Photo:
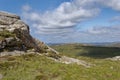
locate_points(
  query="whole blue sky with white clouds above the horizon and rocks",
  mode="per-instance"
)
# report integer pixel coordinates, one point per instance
(69, 21)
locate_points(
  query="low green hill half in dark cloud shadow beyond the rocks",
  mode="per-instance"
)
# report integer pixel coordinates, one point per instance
(87, 50)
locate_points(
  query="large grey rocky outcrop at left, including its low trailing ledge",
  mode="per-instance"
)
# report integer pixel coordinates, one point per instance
(15, 39)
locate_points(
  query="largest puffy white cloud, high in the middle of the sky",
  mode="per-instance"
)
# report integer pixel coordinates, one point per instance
(66, 16)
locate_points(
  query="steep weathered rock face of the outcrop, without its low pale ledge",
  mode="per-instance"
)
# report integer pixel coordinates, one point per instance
(14, 35)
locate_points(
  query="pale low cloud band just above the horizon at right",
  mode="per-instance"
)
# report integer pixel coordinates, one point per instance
(96, 34)
